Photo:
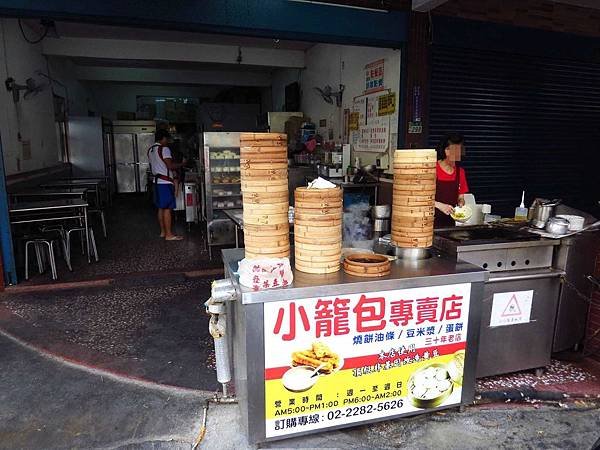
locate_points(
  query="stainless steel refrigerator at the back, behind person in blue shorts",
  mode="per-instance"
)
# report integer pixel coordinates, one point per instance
(132, 139)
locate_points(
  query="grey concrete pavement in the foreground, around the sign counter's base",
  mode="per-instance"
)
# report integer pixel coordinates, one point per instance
(45, 404)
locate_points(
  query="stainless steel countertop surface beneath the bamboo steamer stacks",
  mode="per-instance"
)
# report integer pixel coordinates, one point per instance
(434, 271)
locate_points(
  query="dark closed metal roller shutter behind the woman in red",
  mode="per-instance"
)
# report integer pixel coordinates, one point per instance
(530, 123)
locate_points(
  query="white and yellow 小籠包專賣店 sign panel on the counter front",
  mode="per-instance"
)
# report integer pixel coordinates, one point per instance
(373, 349)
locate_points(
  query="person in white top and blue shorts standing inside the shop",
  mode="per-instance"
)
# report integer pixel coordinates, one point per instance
(163, 166)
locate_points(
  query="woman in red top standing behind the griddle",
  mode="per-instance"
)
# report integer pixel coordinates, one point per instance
(451, 182)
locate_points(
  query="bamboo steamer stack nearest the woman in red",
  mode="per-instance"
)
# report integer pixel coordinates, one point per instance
(413, 205)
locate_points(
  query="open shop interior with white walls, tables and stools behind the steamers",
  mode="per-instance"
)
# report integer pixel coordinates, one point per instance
(88, 99)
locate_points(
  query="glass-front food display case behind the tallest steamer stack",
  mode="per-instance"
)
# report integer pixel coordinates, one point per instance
(221, 185)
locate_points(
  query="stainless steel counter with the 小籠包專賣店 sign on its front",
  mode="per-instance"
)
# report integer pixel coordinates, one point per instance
(251, 318)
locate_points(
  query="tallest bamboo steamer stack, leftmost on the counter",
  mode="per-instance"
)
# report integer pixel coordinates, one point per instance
(264, 178)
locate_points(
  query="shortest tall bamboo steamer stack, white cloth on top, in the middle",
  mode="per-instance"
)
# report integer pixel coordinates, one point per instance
(318, 230)
